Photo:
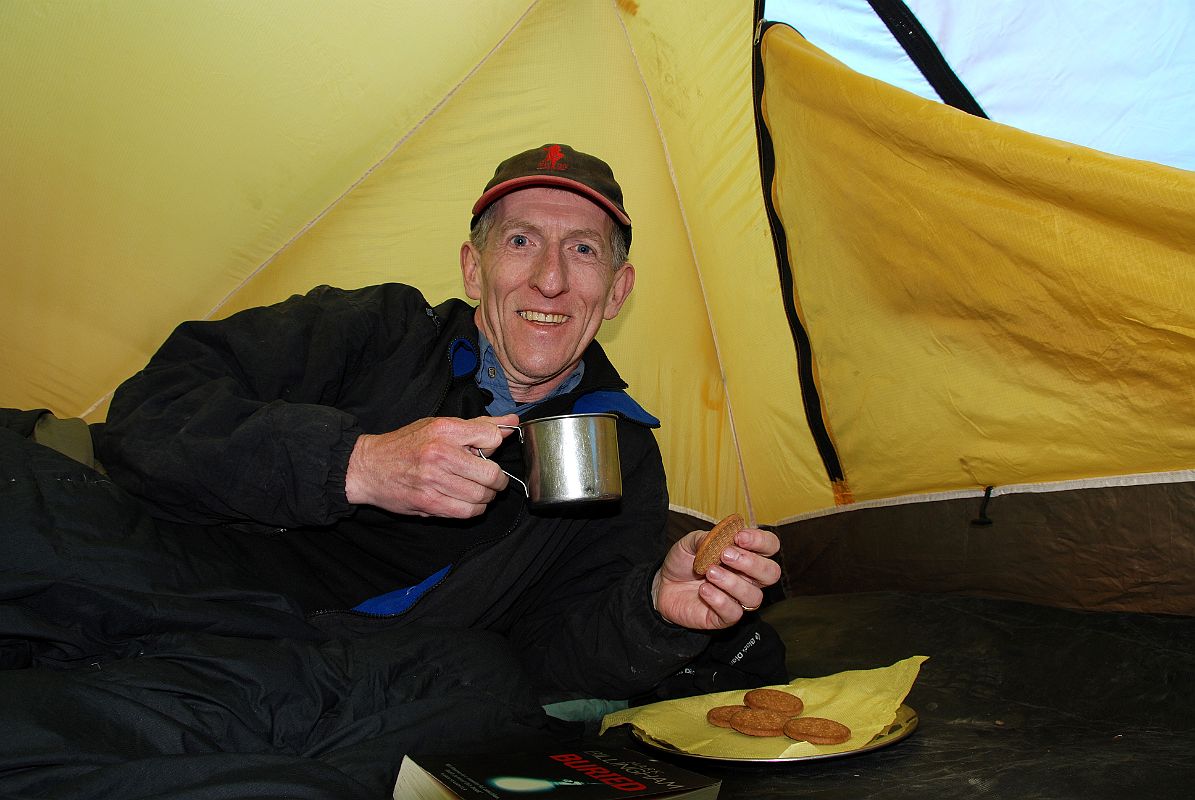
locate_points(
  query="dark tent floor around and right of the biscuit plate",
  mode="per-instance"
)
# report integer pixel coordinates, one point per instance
(1016, 701)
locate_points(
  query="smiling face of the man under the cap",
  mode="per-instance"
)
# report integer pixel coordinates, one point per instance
(544, 283)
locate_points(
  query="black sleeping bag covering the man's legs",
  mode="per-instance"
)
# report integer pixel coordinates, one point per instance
(133, 665)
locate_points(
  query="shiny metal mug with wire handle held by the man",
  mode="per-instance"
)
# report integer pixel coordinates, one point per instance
(571, 460)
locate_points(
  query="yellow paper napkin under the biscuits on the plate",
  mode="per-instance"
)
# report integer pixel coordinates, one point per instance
(866, 701)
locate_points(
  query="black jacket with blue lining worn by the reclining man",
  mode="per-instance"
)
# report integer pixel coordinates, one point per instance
(240, 432)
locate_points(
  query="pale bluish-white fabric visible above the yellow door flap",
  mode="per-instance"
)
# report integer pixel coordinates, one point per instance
(1116, 77)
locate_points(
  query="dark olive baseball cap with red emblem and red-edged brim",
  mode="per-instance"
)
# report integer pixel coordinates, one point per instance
(557, 167)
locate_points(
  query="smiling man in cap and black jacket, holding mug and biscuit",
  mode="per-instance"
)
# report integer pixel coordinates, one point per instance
(359, 416)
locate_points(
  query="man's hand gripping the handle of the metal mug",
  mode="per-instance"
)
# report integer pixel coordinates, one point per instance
(430, 468)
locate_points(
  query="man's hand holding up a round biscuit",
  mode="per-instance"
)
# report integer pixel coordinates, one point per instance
(720, 599)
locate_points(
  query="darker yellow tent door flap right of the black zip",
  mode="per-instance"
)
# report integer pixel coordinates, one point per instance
(986, 307)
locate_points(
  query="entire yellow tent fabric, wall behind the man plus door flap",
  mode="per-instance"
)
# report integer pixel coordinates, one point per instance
(168, 162)
